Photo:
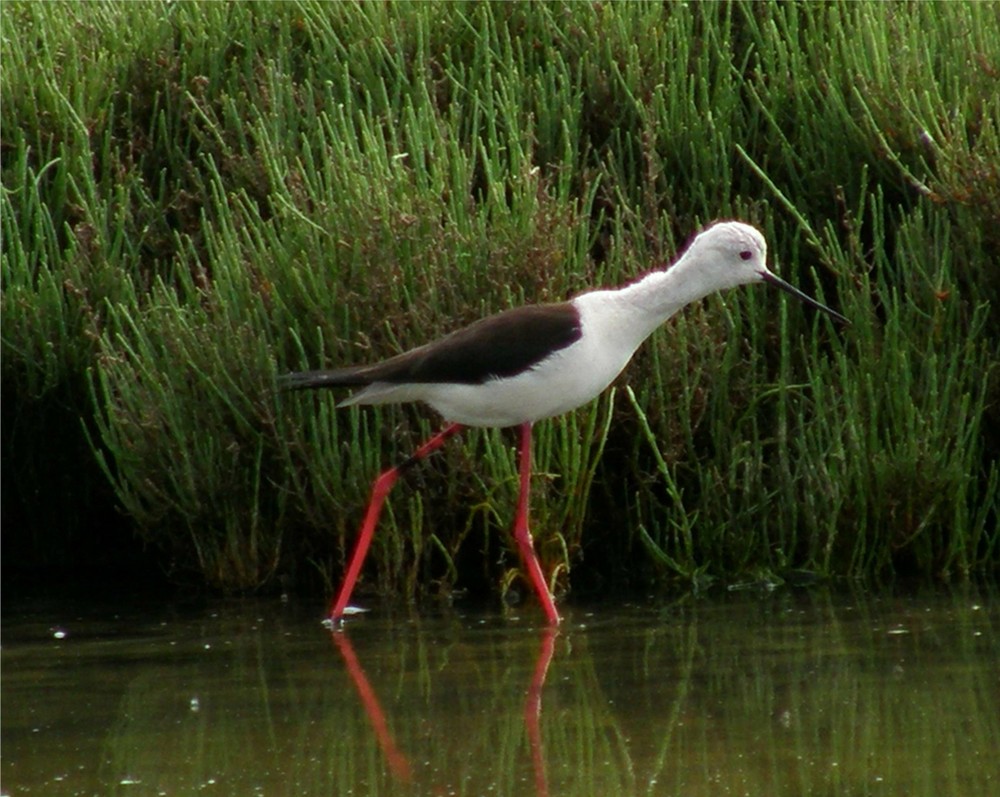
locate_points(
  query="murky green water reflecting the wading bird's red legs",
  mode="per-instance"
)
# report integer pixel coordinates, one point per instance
(792, 693)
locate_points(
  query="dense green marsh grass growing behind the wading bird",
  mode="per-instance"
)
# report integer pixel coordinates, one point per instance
(221, 193)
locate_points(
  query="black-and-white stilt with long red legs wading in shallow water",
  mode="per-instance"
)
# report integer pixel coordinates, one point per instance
(530, 363)
